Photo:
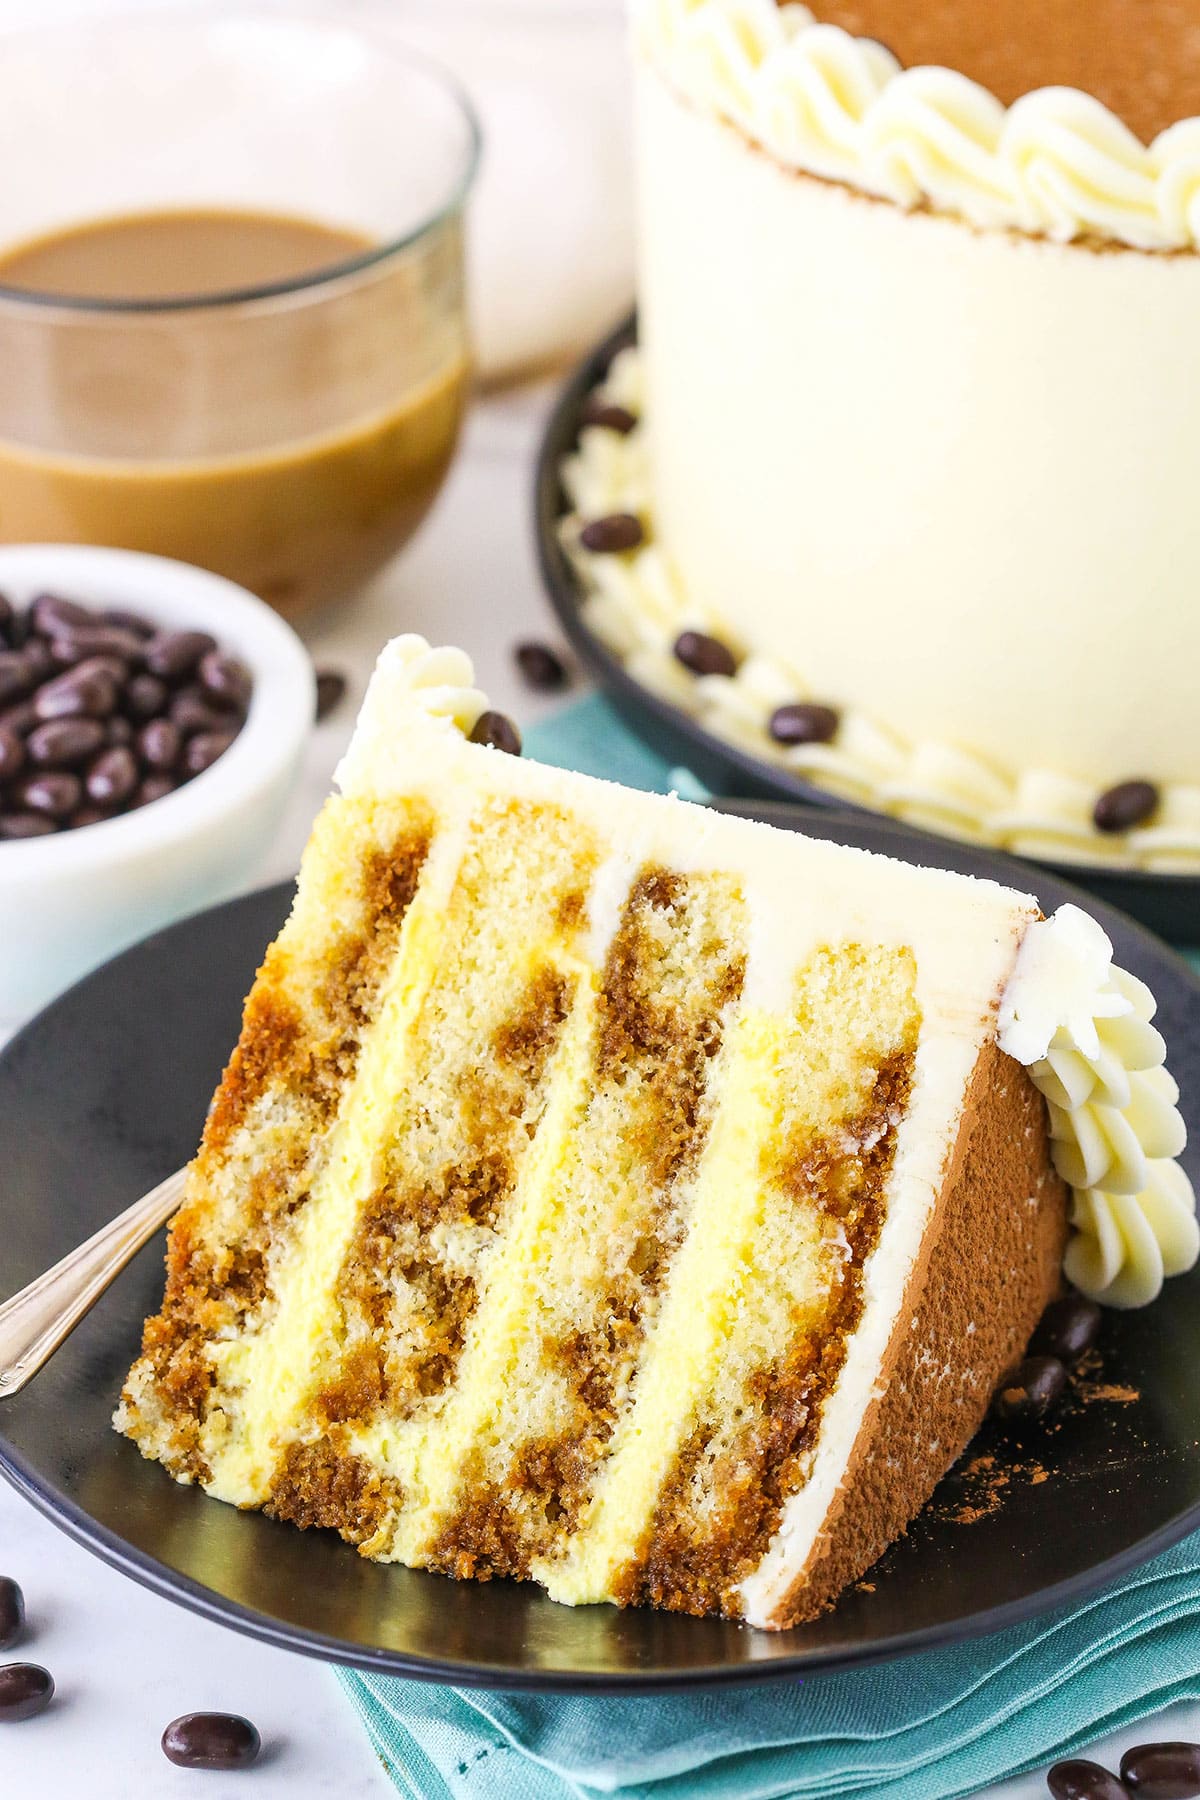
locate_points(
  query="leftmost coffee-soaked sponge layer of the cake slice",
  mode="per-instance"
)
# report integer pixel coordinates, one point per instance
(271, 1128)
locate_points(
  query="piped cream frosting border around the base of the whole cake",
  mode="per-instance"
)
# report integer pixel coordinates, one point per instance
(638, 606)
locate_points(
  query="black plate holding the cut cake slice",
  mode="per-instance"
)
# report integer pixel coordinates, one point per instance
(105, 1093)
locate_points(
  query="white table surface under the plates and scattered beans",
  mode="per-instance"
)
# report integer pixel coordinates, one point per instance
(125, 1660)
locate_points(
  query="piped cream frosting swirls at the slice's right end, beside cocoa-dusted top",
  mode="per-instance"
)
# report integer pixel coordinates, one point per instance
(1082, 1029)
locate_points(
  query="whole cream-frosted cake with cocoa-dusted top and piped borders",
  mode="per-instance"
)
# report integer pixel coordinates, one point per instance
(918, 348)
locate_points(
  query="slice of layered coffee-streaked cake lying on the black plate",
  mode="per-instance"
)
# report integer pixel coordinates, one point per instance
(631, 1198)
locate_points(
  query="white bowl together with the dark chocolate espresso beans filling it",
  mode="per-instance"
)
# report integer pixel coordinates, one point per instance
(152, 724)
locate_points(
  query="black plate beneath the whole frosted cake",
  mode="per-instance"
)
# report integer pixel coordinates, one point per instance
(1169, 904)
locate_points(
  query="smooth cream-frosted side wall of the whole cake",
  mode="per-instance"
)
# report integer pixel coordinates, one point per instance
(940, 474)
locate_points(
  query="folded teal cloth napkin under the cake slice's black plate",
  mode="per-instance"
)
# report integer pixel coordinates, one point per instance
(927, 1727)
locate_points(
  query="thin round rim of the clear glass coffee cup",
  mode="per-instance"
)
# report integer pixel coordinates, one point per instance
(327, 273)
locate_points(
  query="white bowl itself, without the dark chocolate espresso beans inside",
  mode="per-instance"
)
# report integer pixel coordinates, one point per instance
(73, 899)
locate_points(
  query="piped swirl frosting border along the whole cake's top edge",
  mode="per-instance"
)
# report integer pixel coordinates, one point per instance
(1055, 165)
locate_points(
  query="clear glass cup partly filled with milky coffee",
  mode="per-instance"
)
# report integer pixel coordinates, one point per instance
(294, 435)
